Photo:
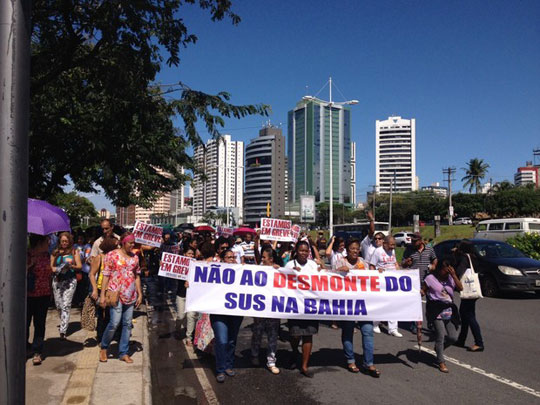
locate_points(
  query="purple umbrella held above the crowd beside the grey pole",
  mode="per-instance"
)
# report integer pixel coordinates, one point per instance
(44, 218)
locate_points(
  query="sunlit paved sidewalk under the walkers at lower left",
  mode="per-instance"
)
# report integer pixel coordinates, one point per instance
(72, 374)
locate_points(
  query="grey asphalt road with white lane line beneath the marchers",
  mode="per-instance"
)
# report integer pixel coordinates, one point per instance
(507, 372)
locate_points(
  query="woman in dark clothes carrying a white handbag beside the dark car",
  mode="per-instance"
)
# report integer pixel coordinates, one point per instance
(465, 259)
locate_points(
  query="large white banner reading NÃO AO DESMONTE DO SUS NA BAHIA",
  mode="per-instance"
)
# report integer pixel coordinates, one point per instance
(260, 291)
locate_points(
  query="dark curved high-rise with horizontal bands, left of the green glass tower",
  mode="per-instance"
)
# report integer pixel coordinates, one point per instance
(265, 175)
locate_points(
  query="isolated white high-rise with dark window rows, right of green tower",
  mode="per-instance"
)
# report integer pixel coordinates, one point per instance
(395, 155)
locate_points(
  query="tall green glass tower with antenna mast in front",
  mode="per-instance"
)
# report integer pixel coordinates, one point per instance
(309, 148)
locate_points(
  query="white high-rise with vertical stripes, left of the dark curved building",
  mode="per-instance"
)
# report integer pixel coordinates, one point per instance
(221, 161)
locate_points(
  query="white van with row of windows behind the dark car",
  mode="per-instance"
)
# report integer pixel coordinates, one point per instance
(502, 229)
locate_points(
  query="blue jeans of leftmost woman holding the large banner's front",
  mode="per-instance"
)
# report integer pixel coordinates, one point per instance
(226, 328)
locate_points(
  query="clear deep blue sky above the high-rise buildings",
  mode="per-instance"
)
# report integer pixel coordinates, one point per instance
(467, 71)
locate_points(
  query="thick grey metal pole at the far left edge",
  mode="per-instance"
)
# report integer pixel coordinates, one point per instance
(14, 127)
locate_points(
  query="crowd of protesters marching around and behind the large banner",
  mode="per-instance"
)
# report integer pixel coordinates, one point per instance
(113, 269)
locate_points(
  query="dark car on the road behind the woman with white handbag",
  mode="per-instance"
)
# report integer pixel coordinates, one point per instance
(500, 267)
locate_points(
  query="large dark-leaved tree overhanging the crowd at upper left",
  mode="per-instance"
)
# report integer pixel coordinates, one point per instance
(97, 114)
